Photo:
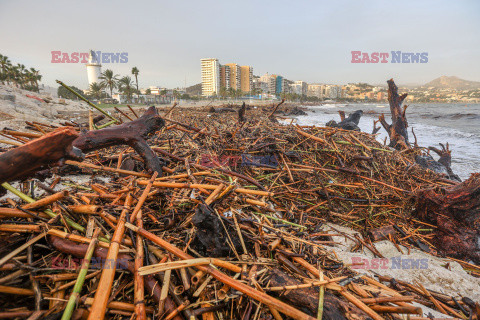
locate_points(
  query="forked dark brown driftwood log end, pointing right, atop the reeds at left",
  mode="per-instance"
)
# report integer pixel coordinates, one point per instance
(132, 133)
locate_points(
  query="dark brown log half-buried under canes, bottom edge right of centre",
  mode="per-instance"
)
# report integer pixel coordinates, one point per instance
(306, 299)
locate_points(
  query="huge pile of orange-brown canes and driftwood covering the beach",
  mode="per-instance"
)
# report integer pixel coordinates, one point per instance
(218, 216)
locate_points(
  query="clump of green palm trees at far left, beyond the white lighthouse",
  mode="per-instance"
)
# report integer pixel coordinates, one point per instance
(18, 75)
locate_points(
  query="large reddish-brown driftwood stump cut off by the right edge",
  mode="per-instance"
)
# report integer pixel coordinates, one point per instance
(455, 211)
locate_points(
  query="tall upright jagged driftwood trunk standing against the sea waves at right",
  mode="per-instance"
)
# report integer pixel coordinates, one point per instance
(397, 131)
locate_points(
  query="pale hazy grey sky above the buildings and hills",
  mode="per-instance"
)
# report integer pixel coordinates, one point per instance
(300, 40)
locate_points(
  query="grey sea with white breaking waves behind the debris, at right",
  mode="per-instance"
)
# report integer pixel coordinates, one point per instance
(433, 123)
